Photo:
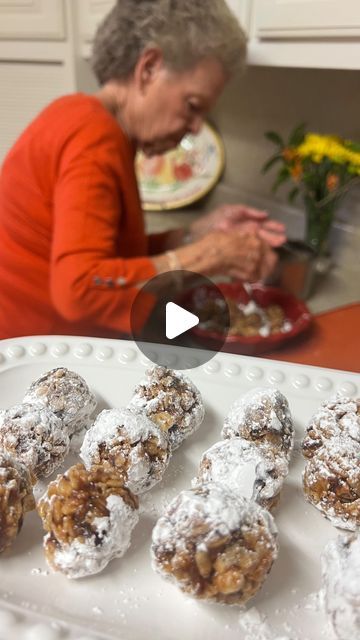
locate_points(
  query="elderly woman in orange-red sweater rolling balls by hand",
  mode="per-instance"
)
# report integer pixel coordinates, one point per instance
(73, 246)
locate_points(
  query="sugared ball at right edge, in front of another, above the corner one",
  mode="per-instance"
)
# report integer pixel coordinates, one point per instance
(331, 482)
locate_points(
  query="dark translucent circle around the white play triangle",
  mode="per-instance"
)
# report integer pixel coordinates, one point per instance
(191, 292)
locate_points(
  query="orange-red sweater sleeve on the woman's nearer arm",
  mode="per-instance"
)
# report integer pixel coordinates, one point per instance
(89, 281)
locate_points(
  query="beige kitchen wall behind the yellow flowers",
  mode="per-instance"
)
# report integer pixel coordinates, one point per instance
(280, 98)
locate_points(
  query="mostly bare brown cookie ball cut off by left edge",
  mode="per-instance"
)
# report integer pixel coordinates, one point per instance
(16, 497)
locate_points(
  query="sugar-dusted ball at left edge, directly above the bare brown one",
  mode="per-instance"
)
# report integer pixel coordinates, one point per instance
(34, 435)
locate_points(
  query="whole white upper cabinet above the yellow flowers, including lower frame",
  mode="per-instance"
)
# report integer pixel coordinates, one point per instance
(305, 33)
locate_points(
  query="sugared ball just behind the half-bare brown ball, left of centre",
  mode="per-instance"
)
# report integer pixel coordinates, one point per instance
(130, 442)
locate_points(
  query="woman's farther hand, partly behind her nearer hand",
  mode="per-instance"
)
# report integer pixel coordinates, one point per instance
(240, 217)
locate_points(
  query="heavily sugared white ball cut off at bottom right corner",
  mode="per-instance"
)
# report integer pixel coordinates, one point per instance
(341, 585)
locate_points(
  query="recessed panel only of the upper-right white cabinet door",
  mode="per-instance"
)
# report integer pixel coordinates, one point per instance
(307, 18)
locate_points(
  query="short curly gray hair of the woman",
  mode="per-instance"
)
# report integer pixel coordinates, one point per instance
(186, 31)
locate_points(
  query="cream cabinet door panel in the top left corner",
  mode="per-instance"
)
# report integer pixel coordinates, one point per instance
(32, 20)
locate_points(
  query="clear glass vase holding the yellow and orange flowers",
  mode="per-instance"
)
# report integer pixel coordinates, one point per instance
(319, 219)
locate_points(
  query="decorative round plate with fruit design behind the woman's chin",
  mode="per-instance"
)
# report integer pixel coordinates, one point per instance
(183, 175)
